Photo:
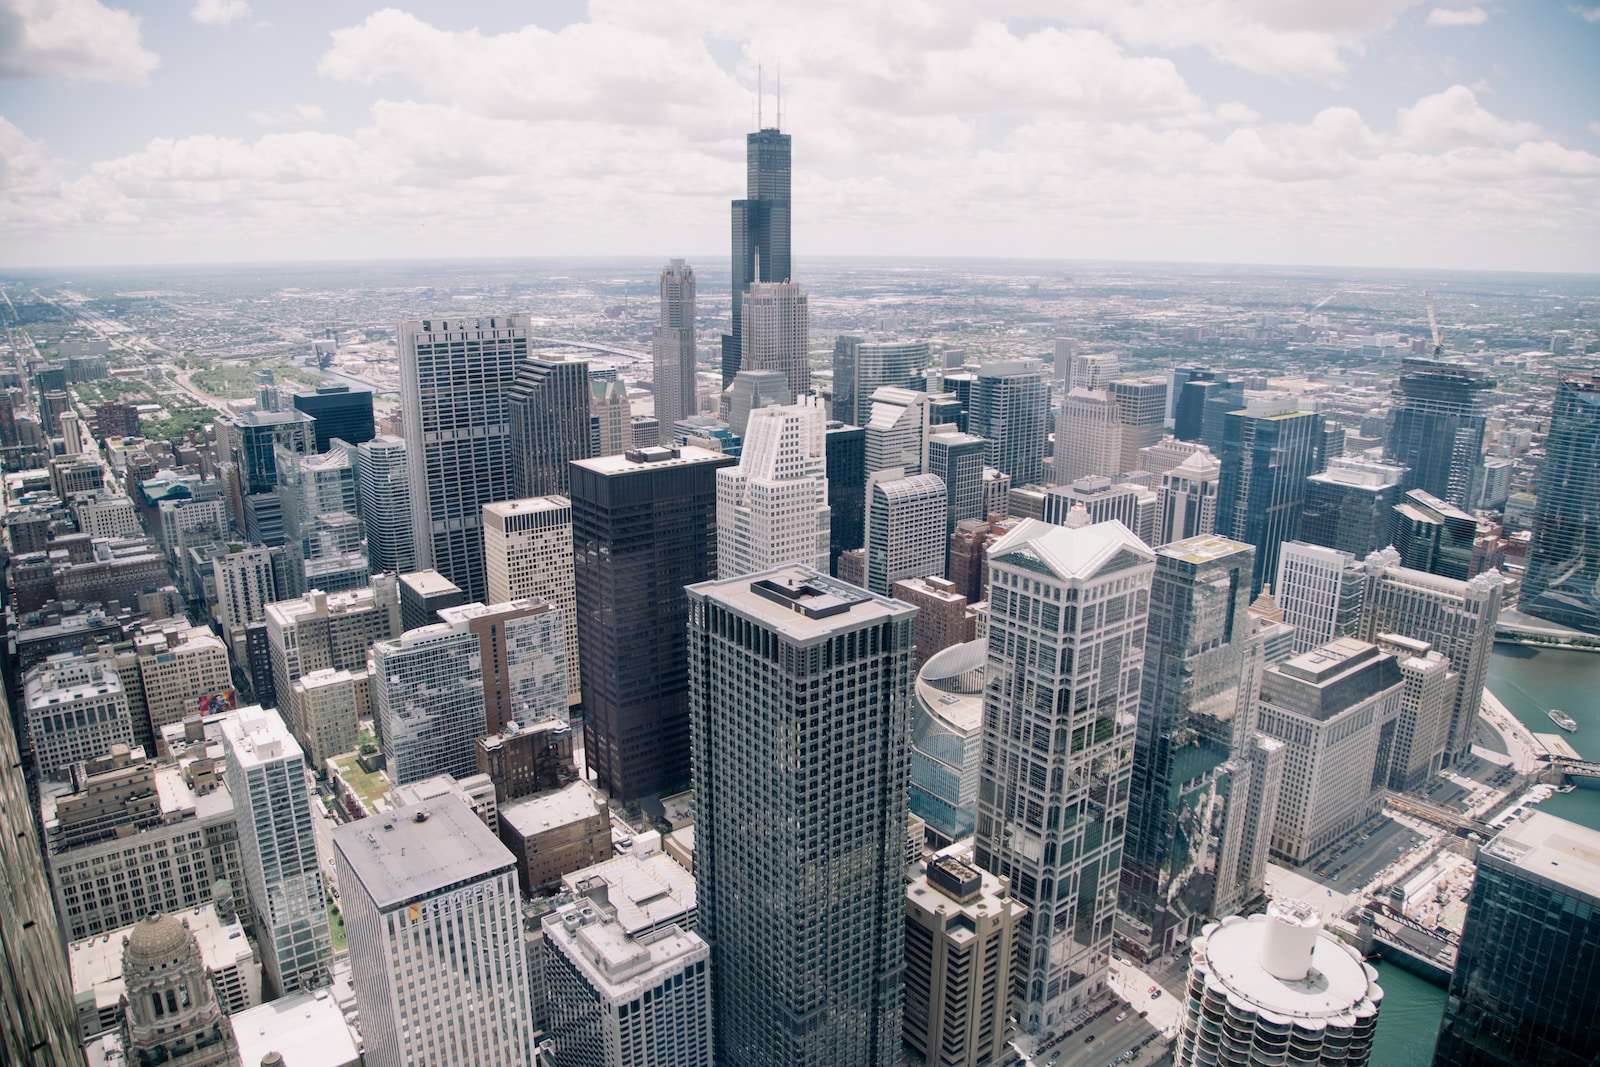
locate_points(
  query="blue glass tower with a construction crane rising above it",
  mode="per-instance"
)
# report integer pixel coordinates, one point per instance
(1438, 428)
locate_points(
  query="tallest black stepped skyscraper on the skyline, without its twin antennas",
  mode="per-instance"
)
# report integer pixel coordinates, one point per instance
(761, 233)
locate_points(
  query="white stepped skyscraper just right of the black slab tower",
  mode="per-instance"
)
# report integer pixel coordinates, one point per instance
(774, 506)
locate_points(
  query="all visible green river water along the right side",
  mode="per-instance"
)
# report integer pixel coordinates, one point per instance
(1530, 682)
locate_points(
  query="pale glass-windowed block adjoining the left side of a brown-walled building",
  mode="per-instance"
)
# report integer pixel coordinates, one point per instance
(428, 701)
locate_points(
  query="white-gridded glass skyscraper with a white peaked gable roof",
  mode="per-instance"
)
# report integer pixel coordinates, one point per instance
(1068, 612)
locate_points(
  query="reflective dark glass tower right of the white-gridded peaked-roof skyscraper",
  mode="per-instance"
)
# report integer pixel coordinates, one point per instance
(1191, 759)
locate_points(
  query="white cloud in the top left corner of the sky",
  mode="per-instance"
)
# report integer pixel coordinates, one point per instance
(73, 41)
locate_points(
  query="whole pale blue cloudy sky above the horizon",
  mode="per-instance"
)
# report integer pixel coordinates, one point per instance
(1366, 132)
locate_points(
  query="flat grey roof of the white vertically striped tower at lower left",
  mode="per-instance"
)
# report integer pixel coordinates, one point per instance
(401, 858)
